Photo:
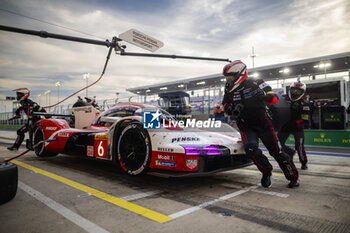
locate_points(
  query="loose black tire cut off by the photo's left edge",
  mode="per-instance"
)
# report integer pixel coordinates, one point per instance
(8, 182)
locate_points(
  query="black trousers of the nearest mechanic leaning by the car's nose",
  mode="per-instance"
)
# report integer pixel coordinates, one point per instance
(250, 135)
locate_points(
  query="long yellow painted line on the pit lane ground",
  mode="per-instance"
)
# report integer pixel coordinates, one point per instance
(153, 215)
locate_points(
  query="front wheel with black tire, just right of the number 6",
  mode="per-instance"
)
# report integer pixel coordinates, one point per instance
(134, 149)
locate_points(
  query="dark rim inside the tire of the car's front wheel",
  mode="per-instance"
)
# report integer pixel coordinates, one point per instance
(132, 149)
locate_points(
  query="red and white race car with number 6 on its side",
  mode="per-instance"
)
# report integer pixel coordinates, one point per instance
(119, 135)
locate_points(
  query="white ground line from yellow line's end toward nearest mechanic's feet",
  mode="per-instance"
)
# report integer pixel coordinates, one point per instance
(205, 204)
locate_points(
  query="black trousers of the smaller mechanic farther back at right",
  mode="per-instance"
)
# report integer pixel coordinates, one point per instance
(297, 130)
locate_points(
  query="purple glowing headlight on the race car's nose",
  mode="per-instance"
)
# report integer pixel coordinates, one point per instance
(206, 150)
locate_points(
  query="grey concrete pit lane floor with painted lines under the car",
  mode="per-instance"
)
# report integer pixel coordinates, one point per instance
(223, 202)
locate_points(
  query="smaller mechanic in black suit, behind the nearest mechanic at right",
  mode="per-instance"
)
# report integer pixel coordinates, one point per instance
(295, 124)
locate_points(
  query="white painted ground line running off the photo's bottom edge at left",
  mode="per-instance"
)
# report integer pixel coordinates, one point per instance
(60, 209)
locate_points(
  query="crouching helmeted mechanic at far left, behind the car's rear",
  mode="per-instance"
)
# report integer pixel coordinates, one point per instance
(27, 106)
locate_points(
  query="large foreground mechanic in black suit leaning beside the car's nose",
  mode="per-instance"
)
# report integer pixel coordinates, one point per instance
(246, 100)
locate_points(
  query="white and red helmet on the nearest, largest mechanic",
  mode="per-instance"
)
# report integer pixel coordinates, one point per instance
(235, 74)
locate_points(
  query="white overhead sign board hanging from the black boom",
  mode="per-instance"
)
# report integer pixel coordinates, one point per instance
(141, 40)
